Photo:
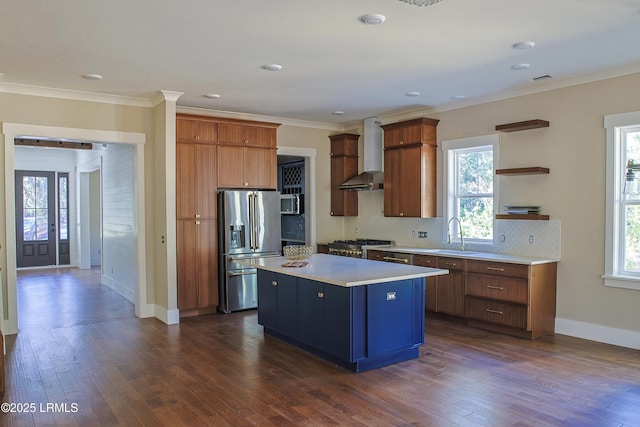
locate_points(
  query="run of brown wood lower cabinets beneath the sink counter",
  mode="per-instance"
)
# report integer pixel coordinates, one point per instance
(517, 299)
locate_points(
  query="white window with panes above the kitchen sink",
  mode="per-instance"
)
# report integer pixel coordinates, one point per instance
(470, 188)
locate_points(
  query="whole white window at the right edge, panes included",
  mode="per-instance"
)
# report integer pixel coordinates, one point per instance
(622, 263)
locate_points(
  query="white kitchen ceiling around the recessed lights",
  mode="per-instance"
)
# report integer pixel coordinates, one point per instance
(331, 61)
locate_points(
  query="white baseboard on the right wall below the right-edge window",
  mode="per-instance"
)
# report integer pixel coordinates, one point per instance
(604, 334)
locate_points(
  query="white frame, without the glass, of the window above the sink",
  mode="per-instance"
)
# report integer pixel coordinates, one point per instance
(450, 148)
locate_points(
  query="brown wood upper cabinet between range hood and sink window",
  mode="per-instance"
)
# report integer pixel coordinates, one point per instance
(410, 168)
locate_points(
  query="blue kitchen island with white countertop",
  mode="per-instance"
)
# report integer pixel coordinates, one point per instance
(356, 313)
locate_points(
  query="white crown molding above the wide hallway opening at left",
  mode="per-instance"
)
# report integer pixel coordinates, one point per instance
(74, 95)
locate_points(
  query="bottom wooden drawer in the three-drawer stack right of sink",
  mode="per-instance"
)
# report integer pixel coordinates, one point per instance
(496, 312)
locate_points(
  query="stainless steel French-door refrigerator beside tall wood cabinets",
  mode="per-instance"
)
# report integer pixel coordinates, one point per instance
(249, 226)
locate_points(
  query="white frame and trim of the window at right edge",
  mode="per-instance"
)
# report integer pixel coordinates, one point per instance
(614, 274)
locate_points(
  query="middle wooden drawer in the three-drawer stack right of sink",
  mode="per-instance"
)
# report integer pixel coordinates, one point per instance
(500, 288)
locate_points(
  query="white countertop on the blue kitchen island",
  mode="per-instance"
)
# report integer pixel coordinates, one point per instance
(344, 271)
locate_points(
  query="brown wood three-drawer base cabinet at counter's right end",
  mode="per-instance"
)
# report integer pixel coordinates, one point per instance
(511, 298)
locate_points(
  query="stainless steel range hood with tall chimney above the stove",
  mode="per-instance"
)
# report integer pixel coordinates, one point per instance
(372, 178)
